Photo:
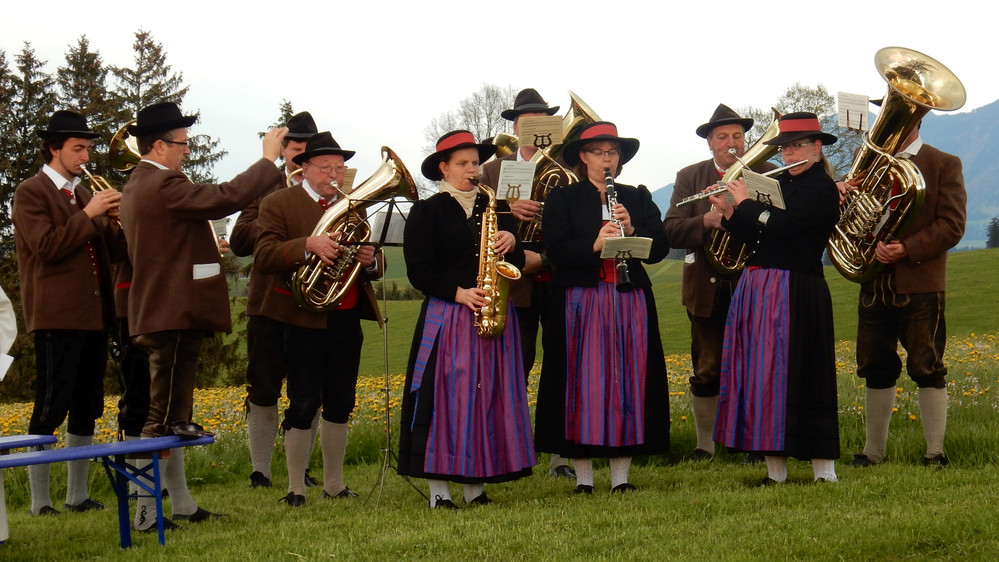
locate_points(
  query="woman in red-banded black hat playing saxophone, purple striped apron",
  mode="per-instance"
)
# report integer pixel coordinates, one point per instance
(465, 414)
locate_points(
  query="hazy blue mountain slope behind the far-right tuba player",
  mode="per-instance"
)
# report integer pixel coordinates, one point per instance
(972, 137)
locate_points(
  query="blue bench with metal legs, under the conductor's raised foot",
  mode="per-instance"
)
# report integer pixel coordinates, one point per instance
(120, 472)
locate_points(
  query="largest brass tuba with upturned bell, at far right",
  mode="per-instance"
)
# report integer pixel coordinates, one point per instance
(890, 190)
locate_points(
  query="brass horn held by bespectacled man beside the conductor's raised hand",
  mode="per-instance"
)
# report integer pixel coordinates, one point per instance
(320, 287)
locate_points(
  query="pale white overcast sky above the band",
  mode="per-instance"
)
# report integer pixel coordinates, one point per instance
(375, 73)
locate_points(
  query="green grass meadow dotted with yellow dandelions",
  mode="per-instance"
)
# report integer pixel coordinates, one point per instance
(899, 510)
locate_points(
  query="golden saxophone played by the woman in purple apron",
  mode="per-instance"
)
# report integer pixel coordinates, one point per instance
(495, 274)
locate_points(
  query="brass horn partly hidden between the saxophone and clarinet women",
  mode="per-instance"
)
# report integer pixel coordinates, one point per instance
(548, 173)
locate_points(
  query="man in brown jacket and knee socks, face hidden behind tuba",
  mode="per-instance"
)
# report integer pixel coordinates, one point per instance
(905, 304)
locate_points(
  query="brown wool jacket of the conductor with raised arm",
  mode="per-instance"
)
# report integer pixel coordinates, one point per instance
(172, 247)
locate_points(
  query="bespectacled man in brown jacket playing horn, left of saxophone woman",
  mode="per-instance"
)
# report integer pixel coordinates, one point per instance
(322, 349)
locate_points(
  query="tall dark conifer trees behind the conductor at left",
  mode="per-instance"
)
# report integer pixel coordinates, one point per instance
(109, 96)
